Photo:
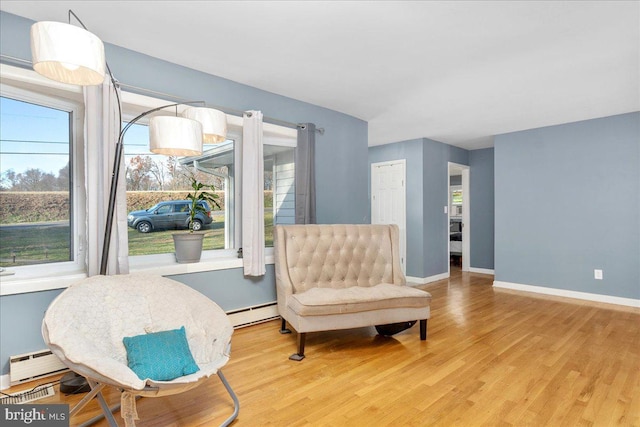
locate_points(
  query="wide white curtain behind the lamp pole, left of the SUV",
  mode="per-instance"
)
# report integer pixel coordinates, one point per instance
(102, 127)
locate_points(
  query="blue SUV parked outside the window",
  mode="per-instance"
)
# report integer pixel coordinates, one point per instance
(172, 214)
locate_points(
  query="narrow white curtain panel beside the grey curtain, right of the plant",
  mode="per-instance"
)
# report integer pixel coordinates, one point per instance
(252, 195)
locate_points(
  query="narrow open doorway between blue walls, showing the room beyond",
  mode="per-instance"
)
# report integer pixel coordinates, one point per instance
(459, 243)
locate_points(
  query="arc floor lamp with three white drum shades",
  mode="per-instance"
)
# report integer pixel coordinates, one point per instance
(70, 54)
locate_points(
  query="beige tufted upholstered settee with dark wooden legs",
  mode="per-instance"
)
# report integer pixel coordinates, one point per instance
(331, 277)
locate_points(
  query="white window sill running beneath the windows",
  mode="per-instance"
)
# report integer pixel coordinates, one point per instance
(164, 265)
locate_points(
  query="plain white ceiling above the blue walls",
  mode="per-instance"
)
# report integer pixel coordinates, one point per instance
(457, 72)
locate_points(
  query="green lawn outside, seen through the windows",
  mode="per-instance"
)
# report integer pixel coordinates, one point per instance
(45, 244)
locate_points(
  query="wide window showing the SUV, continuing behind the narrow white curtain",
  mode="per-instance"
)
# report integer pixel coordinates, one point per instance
(152, 179)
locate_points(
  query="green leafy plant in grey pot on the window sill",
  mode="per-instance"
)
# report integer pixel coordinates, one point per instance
(189, 245)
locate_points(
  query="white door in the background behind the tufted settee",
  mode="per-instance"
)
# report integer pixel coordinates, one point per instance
(388, 199)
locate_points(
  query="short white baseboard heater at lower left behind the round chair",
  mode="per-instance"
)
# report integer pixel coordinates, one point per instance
(31, 366)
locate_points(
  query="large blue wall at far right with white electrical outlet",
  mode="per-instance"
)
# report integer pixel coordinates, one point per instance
(567, 201)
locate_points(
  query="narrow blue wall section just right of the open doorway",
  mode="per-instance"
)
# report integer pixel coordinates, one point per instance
(481, 183)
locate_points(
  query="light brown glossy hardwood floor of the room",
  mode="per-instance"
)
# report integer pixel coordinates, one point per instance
(492, 358)
